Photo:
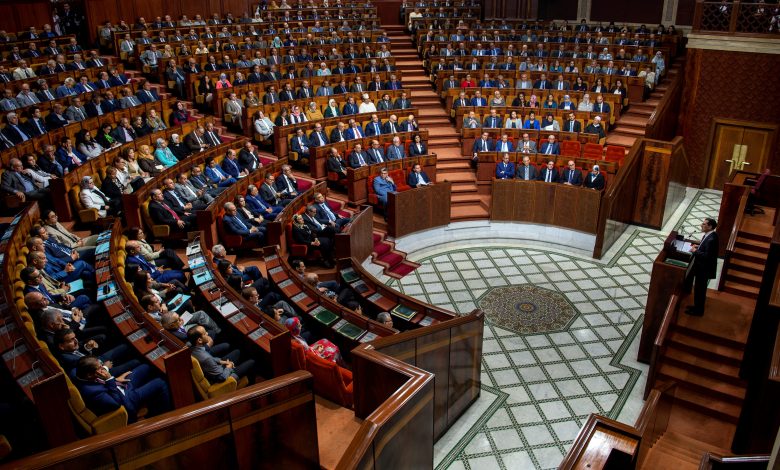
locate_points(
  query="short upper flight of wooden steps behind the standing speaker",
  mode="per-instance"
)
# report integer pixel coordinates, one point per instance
(746, 266)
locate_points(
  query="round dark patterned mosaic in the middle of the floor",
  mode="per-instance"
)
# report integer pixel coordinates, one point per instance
(527, 309)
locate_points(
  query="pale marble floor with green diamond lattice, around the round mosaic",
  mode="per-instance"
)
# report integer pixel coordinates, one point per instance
(539, 388)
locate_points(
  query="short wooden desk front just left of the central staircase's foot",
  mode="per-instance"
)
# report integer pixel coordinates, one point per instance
(418, 209)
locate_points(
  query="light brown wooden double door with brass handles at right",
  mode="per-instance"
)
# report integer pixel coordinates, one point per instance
(737, 146)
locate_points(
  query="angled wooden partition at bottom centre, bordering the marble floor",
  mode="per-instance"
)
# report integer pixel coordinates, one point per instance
(403, 408)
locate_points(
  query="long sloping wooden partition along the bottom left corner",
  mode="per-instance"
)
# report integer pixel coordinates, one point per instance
(249, 428)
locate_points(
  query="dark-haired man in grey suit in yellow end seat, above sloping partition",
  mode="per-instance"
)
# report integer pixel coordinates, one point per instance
(215, 361)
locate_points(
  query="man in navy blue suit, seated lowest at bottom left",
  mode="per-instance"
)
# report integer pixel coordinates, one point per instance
(101, 394)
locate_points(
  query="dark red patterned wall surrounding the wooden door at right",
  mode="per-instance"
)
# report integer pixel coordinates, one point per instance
(743, 90)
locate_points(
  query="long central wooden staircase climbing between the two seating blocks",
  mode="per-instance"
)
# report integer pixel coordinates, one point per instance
(444, 140)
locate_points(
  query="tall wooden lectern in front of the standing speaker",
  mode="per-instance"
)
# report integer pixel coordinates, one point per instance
(670, 270)
